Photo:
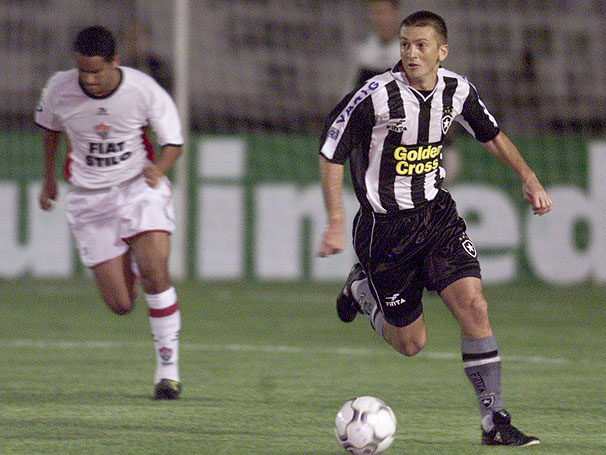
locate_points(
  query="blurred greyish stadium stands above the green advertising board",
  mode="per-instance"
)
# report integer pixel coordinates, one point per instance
(280, 65)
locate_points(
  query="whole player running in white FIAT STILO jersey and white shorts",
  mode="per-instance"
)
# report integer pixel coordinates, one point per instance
(119, 206)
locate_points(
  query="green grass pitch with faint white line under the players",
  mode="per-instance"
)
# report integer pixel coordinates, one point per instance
(265, 367)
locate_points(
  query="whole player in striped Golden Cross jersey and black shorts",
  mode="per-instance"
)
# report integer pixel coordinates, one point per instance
(407, 233)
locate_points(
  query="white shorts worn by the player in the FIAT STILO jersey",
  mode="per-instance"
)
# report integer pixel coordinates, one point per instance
(103, 220)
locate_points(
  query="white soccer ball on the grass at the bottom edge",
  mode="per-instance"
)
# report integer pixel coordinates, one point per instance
(365, 426)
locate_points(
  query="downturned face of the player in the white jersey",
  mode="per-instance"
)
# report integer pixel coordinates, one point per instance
(97, 76)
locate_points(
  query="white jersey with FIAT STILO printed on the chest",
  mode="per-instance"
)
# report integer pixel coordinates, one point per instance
(107, 136)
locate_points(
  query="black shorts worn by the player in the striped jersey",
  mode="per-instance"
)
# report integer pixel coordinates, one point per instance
(405, 252)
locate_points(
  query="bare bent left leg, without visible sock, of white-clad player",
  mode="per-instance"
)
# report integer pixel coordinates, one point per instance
(116, 282)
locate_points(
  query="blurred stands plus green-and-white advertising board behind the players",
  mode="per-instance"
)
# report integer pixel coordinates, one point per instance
(254, 81)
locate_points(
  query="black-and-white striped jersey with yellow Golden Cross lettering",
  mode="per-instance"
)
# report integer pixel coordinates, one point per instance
(393, 135)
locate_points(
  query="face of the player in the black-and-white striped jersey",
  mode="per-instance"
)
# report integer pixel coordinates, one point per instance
(421, 54)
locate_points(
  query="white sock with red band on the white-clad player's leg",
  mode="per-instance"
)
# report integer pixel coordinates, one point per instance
(165, 322)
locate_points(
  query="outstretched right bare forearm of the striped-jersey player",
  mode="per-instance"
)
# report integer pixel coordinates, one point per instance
(506, 152)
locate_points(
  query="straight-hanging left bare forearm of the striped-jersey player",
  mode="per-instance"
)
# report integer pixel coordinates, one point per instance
(333, 240)
